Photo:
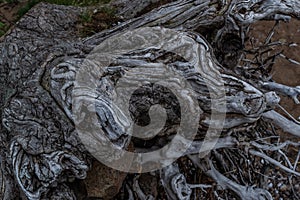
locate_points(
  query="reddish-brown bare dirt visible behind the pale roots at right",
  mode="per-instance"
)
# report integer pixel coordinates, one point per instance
(284, 71)
